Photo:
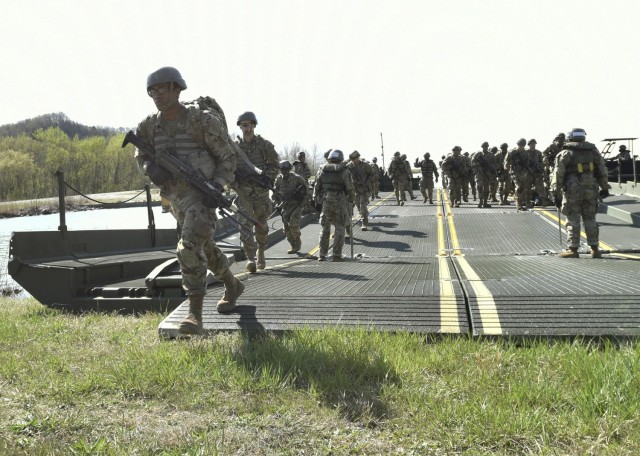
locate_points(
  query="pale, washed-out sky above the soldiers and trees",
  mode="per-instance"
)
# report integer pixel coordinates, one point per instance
(422, 75)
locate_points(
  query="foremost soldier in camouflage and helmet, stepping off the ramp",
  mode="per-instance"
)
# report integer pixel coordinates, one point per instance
(201, 140)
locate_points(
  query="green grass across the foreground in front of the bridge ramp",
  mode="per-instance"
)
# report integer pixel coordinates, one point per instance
(107, 384)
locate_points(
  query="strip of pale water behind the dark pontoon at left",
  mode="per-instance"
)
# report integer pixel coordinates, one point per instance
(100, 219)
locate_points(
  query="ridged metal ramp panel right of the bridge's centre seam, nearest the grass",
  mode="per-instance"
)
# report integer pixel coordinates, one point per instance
(547, 295)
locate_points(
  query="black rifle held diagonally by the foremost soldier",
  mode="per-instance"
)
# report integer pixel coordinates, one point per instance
(212, 197)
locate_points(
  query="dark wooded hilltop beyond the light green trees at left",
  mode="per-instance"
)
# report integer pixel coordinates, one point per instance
(59, 120)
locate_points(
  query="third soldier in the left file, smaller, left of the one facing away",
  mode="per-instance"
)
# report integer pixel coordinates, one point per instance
(290, 196)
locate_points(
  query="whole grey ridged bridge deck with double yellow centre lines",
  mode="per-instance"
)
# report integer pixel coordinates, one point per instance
(433, 269)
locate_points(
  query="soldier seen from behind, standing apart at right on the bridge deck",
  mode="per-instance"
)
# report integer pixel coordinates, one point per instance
(579, 170)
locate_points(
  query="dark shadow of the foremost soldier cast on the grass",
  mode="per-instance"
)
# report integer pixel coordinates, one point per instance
(335, 366)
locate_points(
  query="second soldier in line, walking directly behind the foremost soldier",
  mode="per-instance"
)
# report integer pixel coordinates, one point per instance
(252, 196)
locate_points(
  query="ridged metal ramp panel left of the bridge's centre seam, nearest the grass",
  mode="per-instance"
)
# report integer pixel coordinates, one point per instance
(388, 295)
